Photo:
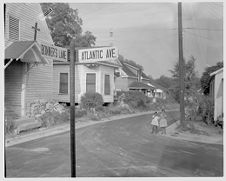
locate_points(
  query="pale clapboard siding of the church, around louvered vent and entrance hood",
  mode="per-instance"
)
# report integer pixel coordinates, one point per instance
(36, 80)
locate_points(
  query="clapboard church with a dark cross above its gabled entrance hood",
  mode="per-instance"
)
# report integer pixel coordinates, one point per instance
(28, 75)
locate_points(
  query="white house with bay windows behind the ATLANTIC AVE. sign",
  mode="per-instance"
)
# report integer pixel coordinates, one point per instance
(89, 77)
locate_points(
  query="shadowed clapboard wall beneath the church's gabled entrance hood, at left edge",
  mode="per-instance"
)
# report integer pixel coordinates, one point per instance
(13, 89)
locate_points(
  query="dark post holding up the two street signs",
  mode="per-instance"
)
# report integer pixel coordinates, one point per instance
(72, 108)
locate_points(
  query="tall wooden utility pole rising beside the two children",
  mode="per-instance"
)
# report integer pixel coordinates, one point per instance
(181, 62)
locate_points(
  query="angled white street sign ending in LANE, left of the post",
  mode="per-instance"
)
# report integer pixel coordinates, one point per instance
(54, 52)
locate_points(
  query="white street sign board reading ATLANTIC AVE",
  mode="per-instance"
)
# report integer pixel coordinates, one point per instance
(97, 54)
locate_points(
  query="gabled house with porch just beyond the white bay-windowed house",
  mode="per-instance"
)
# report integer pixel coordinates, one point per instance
(132, 77)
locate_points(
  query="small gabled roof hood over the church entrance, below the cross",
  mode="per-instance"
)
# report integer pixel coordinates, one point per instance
(26, 51)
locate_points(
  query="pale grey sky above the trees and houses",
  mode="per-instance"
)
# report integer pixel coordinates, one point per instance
(147, 32)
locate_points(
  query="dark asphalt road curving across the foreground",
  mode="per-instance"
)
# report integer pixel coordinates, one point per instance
(122, 148)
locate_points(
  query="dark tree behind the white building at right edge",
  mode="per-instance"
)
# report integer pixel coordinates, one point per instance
(205, 79)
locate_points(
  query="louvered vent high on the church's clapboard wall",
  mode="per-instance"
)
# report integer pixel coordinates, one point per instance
(13, 28)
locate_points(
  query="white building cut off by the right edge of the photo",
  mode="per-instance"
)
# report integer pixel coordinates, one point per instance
(216, 91)
